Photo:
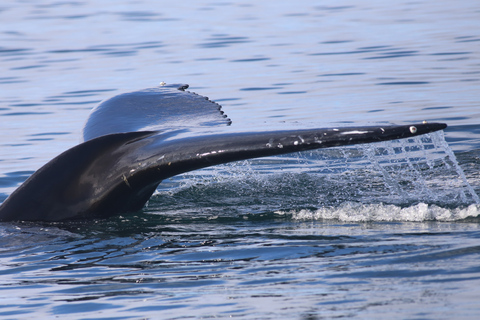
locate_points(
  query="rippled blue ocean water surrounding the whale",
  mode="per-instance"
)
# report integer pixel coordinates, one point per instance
(388, 230)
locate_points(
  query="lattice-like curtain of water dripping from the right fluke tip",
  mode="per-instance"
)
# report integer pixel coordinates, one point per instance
(422, 168)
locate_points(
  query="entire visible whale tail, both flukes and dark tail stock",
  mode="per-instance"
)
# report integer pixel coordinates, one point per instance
(135, 140)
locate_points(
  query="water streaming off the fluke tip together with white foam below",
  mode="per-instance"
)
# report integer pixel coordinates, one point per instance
(422, 172)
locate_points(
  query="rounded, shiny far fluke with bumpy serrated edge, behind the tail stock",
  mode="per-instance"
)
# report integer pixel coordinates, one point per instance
(162, 108)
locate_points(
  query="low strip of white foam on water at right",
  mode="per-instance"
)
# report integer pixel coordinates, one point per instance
(359, 212)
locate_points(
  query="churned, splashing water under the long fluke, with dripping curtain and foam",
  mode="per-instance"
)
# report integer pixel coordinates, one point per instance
(415, 179)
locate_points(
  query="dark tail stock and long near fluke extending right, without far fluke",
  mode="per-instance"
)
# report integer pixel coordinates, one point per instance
(119, 172)
